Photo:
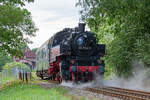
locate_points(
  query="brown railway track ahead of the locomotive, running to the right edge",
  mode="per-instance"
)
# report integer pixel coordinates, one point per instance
(125, 94)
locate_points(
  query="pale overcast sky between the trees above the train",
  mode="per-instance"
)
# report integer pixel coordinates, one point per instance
(51, 16)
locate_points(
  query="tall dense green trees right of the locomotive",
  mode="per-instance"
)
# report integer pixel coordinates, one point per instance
(124, 26)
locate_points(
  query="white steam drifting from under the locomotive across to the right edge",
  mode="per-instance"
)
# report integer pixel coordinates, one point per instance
(139, 80)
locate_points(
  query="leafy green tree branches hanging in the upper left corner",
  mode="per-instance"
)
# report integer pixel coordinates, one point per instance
(15, 24)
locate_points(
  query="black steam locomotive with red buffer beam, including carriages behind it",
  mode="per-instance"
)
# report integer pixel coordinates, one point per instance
(71, 55)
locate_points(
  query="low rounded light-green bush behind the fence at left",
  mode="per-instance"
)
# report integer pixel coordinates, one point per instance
(16, 65)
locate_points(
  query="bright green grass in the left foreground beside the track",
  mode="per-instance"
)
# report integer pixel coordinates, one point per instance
(19, 91)
